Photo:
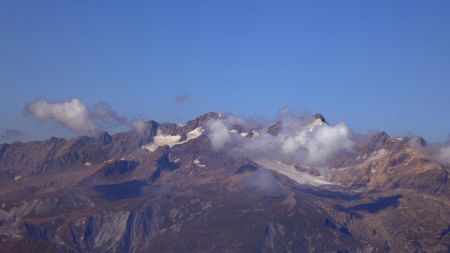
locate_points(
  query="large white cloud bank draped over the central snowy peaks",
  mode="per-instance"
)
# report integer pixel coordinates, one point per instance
(304, 140)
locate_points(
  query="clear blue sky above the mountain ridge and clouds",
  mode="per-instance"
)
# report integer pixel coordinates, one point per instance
(376, 65)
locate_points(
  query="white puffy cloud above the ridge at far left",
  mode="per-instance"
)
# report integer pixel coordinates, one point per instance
(75, 115)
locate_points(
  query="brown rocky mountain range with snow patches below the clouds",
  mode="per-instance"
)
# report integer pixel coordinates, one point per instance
(166, 189)
